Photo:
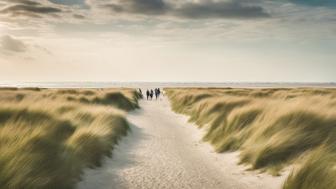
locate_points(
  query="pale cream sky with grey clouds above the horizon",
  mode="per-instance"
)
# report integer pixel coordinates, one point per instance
(168, 40)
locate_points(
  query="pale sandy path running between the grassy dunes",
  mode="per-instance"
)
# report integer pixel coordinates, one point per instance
(164, 151)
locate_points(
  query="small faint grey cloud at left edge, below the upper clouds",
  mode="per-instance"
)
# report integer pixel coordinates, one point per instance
(9, 43)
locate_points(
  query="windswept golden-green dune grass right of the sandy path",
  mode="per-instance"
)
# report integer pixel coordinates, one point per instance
(272, 128)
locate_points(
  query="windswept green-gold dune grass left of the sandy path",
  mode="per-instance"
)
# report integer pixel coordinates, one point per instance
(48, 136)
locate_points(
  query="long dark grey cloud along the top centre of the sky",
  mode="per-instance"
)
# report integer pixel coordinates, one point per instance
(192, 10)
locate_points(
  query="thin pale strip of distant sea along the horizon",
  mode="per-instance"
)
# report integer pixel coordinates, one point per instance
(163, 84)
